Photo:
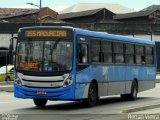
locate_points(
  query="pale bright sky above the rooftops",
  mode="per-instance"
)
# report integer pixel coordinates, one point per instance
(59, 5)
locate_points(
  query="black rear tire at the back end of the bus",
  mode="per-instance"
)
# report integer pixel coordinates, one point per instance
(133, 94)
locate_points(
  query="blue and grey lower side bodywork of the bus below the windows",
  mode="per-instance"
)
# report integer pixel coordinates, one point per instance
(114, 80)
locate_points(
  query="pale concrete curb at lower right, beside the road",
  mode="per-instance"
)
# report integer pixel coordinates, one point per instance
(141, 108)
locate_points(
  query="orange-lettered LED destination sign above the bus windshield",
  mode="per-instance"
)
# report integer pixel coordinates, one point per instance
(46, 33)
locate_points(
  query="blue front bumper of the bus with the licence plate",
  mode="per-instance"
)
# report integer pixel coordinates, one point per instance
(61, 93)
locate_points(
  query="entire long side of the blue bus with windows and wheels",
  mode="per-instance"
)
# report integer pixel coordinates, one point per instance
(113, 65)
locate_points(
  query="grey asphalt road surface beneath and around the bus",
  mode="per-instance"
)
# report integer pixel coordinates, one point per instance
(109, 108)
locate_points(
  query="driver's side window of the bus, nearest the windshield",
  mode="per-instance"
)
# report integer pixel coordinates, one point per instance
(82, 54)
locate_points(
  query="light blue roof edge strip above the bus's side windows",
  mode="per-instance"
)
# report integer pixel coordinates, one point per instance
(113, 36)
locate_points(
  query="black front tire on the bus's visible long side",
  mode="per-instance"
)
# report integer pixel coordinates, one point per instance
(92, 96)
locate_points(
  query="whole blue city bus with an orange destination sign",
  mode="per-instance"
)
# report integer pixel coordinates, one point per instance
(66, 63)
